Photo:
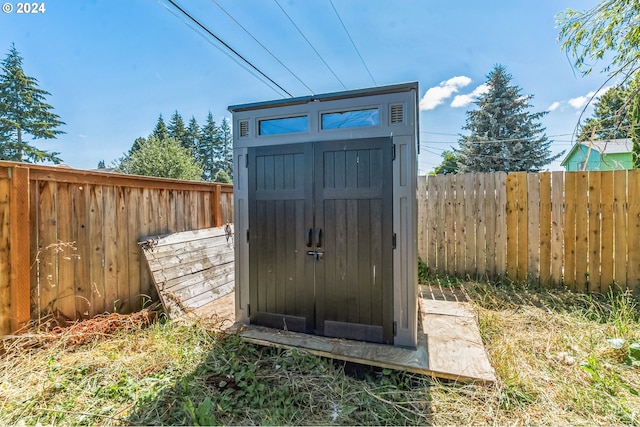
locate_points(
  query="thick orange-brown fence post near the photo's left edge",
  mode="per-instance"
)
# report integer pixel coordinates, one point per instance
(19, 243)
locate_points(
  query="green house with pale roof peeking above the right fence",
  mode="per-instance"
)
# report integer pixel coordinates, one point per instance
(608, 154)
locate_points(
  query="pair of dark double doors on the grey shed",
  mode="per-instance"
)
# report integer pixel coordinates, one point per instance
(321, 238)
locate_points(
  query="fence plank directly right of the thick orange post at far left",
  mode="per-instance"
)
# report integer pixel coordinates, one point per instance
(47, 241)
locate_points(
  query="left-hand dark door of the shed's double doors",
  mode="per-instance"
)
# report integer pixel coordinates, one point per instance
(281, 275)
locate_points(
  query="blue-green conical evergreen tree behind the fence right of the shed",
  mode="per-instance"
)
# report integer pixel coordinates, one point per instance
(505, 136)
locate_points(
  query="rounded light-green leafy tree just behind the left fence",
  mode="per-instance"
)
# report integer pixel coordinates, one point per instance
(164, 158)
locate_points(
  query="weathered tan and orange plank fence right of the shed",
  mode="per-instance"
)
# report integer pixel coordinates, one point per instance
(574, 229)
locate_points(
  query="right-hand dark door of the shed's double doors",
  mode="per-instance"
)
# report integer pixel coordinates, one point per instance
(353, 209)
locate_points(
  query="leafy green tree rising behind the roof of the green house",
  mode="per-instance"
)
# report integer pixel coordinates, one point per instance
(610, 116)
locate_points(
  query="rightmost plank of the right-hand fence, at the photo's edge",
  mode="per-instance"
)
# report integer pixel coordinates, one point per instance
(633, 237)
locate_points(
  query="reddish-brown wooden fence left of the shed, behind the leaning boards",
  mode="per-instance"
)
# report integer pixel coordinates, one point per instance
(69, 238)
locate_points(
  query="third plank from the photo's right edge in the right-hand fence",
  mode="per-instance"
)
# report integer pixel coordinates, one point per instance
(607, 236)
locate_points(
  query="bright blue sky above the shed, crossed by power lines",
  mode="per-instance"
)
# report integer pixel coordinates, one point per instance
(112, 66)
